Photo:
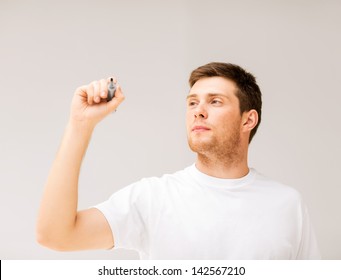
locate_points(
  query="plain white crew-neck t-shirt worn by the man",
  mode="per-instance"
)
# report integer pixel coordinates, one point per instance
(190, 215)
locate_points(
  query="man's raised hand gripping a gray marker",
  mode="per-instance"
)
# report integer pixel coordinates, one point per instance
(89, 104)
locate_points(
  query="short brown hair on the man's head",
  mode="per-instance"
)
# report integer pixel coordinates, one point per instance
(248, 93)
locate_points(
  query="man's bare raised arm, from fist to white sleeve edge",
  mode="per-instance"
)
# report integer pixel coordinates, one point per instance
(60, 225)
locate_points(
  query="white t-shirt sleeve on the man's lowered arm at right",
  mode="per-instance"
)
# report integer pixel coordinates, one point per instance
(308, 248)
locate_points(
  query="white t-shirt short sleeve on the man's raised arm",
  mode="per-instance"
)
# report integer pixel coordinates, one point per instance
(127, 214)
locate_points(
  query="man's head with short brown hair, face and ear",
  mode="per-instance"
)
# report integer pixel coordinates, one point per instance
(226, 101)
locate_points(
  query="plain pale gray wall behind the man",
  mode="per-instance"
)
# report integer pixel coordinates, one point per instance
(48, 48)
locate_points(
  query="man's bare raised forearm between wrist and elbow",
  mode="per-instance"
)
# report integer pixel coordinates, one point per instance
(58, 211)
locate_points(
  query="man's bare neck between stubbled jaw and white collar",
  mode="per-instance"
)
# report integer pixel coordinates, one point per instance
(220, 168)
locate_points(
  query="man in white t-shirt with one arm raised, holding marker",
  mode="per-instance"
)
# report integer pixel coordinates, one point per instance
(217, 208)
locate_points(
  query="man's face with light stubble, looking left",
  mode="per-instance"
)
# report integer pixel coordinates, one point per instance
(213, 117)
